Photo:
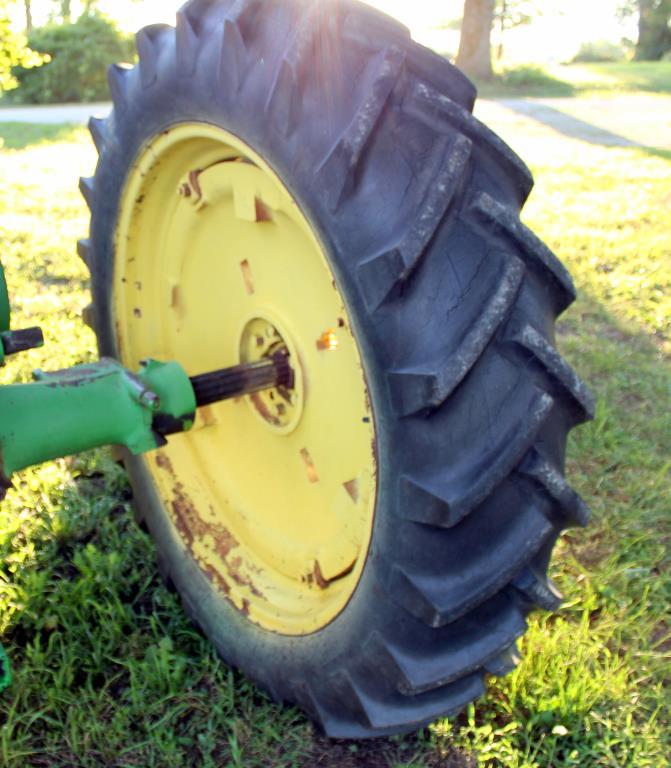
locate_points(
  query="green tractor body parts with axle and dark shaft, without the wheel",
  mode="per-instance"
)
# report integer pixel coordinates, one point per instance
(102, 403)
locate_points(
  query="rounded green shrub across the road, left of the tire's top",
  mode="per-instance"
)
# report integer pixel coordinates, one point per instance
(80, 54)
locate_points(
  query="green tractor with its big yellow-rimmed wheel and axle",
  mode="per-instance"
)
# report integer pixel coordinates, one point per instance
(328, 349)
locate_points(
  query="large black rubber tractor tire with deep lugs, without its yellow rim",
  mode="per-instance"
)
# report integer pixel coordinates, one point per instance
(453, 302)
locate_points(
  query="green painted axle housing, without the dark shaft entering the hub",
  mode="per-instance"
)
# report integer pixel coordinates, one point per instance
(89, 406)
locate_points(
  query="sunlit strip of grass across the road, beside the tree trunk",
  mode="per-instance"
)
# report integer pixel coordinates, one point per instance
(580, 80)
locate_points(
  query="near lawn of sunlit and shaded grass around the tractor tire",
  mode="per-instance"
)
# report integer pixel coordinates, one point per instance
(108, 670)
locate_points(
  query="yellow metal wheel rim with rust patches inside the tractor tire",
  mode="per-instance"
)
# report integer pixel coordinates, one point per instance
(215, 264)
